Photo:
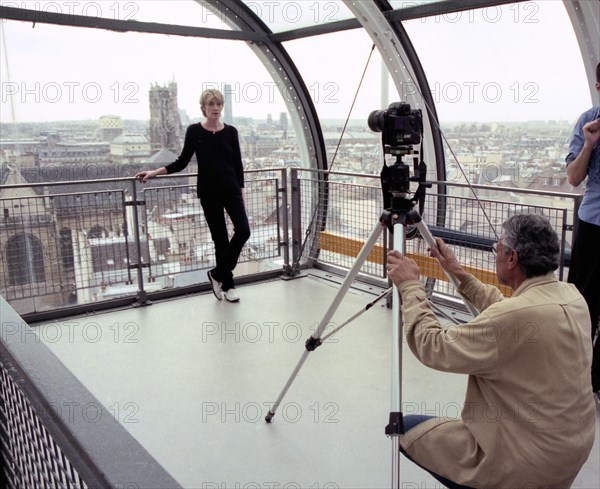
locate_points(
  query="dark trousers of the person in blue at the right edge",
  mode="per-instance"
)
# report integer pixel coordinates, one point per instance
(584, 273)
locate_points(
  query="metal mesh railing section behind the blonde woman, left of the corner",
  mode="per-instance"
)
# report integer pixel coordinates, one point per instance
(80, 245)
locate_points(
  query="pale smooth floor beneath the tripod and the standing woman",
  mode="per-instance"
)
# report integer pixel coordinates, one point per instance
(193, 378)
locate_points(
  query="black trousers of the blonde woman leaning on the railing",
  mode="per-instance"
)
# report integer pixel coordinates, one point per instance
(227, 252)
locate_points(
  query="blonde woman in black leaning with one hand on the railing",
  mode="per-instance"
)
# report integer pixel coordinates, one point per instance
(220, 187)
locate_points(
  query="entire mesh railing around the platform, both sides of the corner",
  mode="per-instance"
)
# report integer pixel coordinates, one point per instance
(114, 241)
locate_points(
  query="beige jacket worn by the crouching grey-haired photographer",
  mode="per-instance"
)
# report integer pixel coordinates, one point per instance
(528, 419)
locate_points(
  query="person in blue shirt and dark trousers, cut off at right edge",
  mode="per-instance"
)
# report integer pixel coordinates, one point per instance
(583, 161)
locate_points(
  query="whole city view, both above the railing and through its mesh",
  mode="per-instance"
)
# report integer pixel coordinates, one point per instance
(88, 224)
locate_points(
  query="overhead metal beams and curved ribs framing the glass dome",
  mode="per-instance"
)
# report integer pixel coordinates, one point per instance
(377, 17)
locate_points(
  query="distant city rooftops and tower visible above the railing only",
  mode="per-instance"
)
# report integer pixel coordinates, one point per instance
(517, 154)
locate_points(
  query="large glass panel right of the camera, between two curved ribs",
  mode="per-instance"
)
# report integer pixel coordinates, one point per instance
(508, 83)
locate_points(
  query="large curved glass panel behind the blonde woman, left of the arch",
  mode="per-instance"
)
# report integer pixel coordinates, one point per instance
(83, 104)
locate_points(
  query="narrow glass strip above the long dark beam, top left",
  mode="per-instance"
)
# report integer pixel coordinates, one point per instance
(177, 12)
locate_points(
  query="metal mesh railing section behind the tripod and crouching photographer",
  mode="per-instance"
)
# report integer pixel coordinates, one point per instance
(332, 227)
